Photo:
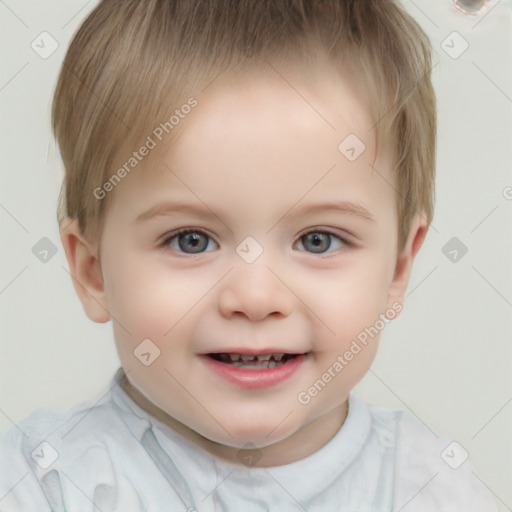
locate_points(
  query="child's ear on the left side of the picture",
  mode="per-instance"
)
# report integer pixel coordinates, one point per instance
(84, 264)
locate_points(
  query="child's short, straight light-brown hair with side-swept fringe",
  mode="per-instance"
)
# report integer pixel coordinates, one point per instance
(131, 60)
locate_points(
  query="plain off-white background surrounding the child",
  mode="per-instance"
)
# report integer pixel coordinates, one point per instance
(447, 359)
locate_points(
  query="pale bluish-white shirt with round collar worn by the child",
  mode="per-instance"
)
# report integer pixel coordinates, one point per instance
(109, 455)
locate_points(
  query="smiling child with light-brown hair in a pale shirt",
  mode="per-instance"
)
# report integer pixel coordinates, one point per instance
(250, 130)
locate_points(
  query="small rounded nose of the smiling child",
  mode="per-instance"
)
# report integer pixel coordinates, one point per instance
(255, 291)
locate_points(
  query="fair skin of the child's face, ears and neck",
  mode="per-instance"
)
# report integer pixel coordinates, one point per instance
(252, 151)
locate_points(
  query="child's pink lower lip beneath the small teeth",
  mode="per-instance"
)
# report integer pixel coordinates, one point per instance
(255, 378)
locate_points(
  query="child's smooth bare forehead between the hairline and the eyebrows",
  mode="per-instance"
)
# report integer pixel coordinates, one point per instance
(270, 133)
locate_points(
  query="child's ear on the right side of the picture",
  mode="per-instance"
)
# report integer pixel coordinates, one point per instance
(403, 267)
